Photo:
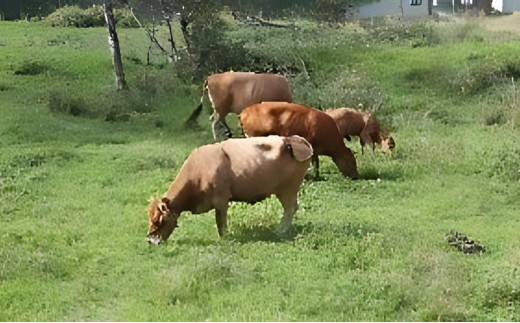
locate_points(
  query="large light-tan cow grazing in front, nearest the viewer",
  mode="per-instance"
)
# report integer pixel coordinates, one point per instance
(247, 170)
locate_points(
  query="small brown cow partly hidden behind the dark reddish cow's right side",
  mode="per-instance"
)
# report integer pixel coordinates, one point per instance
(352, 122)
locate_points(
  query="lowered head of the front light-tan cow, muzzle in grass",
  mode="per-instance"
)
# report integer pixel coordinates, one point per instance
(162, 221)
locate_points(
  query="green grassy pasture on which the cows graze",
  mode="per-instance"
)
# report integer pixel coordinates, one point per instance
(79, 162)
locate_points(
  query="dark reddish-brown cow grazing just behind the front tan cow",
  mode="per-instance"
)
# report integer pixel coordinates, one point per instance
(286, 119)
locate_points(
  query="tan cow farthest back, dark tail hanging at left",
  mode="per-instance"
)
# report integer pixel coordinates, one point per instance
(231, 92)
